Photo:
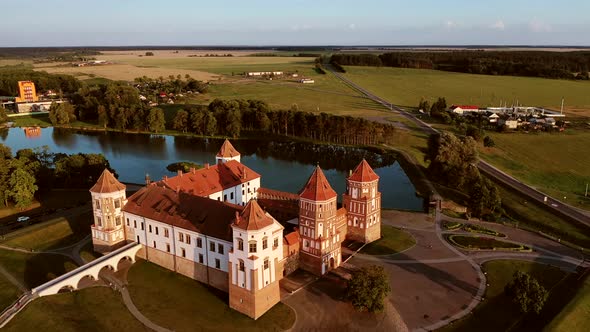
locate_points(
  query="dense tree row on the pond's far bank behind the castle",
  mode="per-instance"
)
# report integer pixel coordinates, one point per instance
(231, 117)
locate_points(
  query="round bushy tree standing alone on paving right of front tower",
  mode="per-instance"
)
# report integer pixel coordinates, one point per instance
(368, 288)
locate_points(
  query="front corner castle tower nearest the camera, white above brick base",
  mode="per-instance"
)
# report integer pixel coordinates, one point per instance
(254, 268)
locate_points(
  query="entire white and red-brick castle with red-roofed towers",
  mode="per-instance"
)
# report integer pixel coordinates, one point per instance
(208, 225)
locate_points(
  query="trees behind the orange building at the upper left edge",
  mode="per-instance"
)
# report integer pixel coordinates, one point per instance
(10, 75)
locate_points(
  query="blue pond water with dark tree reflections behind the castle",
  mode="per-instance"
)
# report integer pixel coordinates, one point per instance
(283, 166)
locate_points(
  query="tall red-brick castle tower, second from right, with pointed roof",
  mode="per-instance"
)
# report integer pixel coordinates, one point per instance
(318, 230)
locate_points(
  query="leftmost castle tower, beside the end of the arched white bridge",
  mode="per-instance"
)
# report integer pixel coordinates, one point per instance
(108, 198)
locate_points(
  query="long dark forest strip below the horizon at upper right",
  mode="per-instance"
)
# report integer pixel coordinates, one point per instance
(565, 65)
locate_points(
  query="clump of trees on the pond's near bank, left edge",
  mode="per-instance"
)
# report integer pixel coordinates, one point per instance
(30, 170)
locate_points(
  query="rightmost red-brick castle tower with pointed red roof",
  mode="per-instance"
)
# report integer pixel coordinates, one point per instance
(362, 200)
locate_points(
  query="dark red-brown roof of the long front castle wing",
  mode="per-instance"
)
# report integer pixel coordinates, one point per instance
(198, 214)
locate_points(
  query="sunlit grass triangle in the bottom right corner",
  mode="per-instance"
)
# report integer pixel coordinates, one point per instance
(576, 315)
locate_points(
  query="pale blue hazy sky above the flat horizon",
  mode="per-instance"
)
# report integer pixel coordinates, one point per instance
(293, 22)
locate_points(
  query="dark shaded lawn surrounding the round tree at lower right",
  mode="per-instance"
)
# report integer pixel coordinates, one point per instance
(497, 312)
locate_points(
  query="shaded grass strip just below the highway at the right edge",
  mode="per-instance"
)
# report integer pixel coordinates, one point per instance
(529, 215)
